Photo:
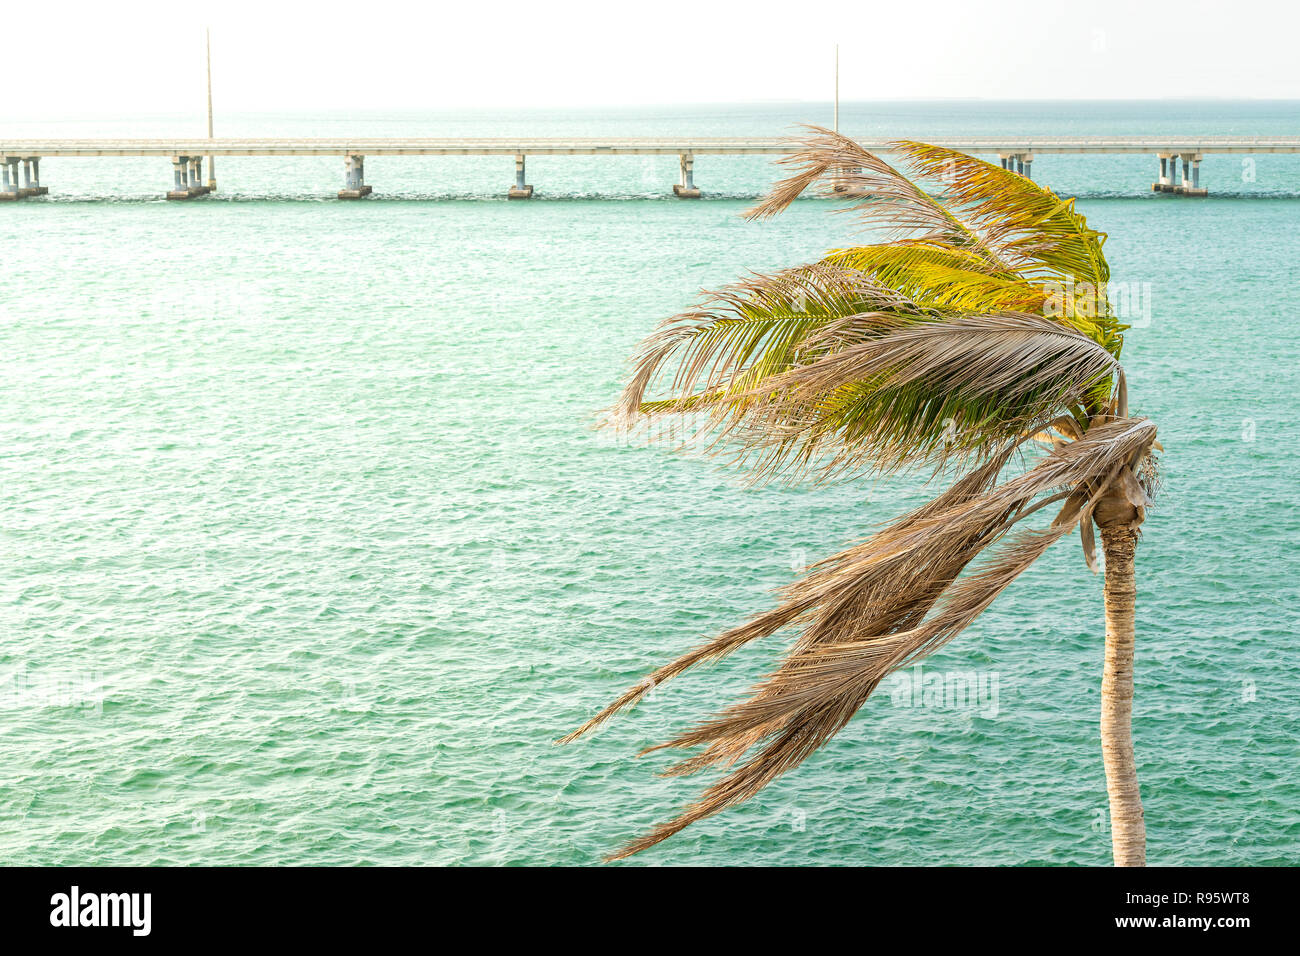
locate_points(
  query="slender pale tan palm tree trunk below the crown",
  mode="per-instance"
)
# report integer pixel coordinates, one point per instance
(1128, 829)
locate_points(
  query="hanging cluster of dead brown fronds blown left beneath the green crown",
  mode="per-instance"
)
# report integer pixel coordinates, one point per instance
(865, 612)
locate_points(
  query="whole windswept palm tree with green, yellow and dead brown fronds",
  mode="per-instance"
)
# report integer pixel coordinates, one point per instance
(976, 331)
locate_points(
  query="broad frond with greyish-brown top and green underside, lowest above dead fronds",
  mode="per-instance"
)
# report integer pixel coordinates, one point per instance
(889, 395)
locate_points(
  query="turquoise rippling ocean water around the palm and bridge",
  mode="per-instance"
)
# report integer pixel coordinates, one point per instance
(310, 550)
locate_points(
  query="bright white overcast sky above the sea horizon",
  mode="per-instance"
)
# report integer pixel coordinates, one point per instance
(148, 58)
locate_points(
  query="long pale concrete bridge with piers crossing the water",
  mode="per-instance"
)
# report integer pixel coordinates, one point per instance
(188, 155)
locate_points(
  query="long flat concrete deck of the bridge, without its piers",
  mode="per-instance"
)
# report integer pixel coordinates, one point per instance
(599, 146)
